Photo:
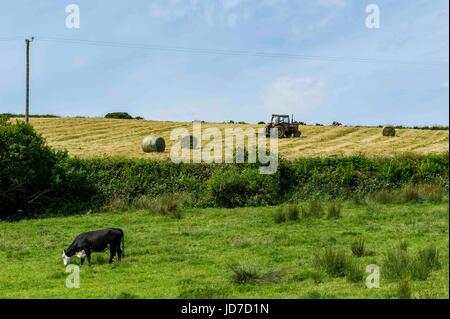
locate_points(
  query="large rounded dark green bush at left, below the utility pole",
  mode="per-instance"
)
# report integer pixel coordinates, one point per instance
(34, 177)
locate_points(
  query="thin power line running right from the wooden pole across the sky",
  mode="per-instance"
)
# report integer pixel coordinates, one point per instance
(236, 52)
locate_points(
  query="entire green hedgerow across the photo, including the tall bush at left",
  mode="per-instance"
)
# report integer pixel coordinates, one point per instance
(29, 167)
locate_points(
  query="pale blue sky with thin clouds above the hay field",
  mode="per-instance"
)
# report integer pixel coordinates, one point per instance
(76, 79)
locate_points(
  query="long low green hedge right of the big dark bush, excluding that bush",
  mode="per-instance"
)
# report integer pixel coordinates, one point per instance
(226, 185)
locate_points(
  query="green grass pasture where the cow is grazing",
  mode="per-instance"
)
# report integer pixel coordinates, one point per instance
(190, 257)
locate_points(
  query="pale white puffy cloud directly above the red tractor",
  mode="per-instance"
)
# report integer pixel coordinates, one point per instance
(299, 96)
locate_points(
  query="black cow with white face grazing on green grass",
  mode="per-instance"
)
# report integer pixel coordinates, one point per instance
(95, 241)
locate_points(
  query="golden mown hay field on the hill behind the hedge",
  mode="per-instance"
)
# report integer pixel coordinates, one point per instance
(85, 137)
